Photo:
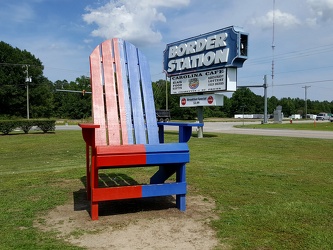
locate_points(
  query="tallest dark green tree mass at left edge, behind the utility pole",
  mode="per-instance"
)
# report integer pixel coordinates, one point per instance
(15, 66)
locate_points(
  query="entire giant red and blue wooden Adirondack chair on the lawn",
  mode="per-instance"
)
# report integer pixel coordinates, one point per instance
(125, 132)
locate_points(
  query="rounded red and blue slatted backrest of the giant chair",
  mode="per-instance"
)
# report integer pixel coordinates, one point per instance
(122, 96)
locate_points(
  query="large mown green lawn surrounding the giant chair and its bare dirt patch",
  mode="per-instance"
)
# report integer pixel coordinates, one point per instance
(270, 192)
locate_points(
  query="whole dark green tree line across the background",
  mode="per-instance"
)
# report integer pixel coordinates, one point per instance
(46, 102)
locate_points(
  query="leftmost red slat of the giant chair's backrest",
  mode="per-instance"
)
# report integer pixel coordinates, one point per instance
(97, 96)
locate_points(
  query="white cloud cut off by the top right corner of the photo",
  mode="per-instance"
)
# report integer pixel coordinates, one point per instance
(322, 10)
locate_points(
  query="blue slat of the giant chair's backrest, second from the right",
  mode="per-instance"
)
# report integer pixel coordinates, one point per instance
(135, 92)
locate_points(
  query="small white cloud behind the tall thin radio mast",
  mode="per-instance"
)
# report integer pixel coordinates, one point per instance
(281, 19)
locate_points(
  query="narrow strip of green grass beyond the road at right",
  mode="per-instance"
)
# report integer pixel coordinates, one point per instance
(314, 125)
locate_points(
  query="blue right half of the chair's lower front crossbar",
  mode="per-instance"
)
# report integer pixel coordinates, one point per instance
(152, 190)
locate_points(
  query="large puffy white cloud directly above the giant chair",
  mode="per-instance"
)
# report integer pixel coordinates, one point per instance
(133, 20)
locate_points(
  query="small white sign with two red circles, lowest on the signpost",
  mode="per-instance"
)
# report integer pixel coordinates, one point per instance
(201, 100)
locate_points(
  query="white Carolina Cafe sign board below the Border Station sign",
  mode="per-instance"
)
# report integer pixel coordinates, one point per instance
(205, 81)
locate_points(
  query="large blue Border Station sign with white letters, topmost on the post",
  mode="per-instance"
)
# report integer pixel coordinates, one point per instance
(218, 49)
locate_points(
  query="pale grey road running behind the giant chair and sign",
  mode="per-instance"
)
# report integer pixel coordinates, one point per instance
(228, 128)
